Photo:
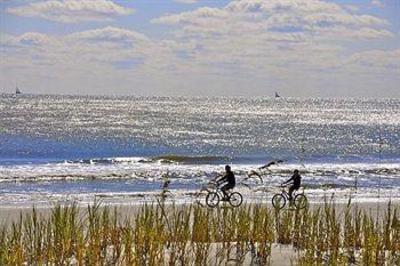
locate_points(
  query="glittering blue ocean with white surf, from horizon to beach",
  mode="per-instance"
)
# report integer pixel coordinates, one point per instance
(120, 150)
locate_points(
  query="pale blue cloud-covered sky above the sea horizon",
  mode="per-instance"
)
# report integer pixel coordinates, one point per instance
(299, 48)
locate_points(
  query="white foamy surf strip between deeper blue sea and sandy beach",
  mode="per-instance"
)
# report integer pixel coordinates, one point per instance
(137, 180)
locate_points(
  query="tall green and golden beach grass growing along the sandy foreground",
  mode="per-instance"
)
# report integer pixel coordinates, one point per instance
(165, 234)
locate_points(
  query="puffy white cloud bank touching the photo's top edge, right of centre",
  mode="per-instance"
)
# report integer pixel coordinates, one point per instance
(253, 16)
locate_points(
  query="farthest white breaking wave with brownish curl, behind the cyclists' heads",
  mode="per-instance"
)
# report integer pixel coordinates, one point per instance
(192, 168)
